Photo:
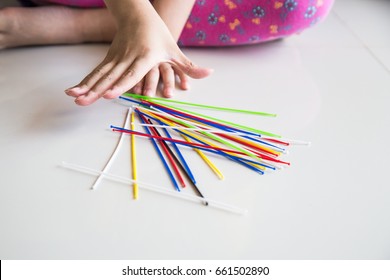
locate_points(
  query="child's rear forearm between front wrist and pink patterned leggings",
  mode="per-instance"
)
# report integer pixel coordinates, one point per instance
(174, 13)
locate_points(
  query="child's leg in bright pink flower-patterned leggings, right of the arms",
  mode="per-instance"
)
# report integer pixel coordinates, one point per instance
(238, 22)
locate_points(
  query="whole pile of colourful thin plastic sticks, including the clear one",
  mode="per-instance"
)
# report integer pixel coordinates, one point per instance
(170, 127)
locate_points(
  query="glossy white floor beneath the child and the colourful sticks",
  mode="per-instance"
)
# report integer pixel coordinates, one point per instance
(330, 86)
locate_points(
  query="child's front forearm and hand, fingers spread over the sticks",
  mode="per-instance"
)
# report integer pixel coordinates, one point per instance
(142, 42)
